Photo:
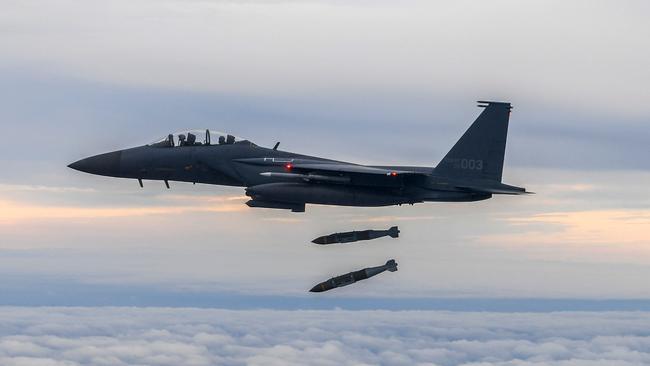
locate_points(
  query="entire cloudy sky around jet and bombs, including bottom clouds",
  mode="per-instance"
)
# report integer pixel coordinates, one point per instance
(98, 271)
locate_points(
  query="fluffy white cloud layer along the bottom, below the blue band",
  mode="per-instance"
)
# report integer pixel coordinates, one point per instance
(161, 336)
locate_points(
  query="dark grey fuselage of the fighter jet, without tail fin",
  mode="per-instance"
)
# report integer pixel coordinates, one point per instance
(241, 164)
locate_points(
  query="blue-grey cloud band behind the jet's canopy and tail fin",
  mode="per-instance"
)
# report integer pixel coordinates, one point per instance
(75, 119)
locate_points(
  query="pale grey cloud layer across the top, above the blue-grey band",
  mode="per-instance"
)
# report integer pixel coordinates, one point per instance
(576, 53)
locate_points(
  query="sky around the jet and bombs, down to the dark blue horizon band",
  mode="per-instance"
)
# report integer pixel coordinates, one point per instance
(368, 82)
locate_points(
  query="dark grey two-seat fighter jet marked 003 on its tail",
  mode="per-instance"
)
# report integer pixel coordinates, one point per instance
(471, 170)
